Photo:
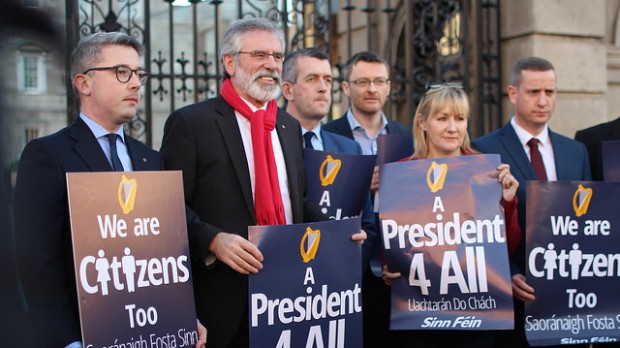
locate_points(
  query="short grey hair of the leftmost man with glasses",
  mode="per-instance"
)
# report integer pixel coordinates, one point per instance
(86, 54)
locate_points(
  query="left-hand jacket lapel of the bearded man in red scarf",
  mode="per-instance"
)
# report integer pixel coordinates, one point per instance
(227, 122)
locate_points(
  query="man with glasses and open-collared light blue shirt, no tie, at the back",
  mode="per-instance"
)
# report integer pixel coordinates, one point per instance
(367, 84)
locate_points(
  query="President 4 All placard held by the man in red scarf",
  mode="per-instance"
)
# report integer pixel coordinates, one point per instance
(308, 293)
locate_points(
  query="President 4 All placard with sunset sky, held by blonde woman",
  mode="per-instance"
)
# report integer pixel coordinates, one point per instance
(443, 230)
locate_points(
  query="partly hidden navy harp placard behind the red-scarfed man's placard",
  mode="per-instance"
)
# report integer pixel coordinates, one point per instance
(338, 182)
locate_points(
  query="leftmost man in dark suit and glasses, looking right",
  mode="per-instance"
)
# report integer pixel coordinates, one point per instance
(107, 77)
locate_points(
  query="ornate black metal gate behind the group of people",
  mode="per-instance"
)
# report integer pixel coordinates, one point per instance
(425, 41)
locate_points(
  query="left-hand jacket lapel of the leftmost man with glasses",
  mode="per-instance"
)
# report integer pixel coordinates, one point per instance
(88, 148)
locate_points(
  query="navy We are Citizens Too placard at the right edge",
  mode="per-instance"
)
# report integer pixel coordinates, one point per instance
(573, 262)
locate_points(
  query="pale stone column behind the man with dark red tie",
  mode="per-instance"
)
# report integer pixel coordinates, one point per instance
(570, 34)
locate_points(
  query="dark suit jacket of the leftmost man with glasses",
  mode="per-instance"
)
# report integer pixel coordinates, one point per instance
(42, 228)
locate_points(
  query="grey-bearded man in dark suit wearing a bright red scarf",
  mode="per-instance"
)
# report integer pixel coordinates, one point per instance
(242, 165)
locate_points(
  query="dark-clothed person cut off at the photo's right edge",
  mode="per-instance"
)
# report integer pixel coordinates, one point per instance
(593, 138)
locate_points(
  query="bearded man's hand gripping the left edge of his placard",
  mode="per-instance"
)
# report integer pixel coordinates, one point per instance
(237, 252)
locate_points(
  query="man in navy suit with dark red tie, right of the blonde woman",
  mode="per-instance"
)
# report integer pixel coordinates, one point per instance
(522, 143)
